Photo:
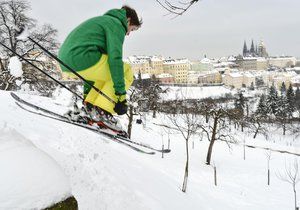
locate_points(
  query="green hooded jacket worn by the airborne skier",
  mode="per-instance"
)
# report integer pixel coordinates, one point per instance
(99, 35)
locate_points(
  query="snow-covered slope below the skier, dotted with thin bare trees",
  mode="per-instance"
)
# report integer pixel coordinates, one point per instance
(106, 175)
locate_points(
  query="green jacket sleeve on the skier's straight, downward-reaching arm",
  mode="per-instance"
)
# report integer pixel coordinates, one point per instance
(114, 41)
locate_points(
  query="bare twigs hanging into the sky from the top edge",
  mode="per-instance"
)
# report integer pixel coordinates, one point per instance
(177, 8)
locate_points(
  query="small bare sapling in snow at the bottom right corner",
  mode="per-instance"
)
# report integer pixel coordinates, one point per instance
(292, 176)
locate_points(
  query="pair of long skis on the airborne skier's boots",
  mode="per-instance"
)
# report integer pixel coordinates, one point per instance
(107, 132)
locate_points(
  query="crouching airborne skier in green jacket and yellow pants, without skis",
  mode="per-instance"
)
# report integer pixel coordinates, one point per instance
(94, 50)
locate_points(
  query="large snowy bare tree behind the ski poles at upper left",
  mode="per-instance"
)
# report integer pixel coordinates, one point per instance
(13, 18)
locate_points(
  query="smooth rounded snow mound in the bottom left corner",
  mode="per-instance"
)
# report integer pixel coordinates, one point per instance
(29, 178)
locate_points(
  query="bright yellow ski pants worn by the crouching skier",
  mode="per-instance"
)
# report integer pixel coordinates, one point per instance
(100, 75)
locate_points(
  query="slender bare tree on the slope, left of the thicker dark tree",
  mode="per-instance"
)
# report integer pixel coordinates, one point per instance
(187, 125)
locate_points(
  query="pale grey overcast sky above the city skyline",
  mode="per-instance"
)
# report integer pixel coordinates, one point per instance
(214, 28)
